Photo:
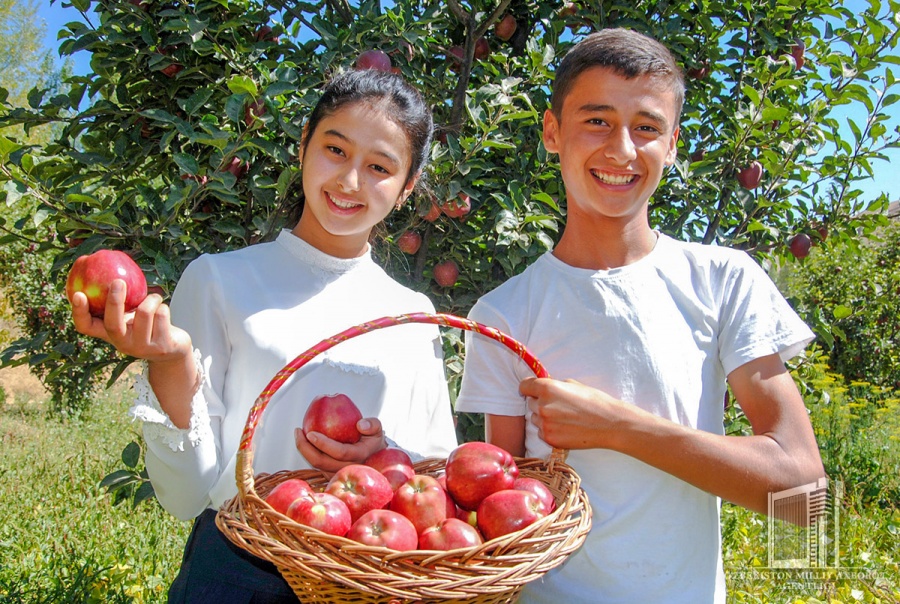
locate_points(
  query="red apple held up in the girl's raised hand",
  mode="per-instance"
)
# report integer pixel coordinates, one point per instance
(92, 274)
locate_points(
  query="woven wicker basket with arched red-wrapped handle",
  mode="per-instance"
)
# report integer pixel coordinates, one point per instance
(325, 568)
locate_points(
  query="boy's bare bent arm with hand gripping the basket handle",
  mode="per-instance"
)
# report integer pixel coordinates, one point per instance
(781, 454)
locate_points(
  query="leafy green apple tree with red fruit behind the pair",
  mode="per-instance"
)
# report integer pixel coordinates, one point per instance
(183, 138)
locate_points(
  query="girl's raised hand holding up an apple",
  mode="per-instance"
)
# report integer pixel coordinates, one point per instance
(146, 333)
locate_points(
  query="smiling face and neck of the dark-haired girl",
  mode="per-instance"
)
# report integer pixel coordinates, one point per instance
(354, 172)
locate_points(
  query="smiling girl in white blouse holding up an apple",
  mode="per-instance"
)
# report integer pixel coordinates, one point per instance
(237, 318)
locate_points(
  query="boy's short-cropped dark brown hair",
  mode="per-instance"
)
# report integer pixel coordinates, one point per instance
(628, 53)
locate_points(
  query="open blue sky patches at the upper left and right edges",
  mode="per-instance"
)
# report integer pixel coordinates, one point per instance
(885, 180)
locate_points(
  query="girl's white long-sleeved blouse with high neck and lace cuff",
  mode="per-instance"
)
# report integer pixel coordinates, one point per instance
(249, 312)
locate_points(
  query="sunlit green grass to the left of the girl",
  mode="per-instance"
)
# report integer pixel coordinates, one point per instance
(61, 539)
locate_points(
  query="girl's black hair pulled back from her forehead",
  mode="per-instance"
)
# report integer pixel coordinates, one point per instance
(404, 105)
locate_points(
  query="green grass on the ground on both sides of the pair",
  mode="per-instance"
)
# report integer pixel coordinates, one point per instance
(62, 540)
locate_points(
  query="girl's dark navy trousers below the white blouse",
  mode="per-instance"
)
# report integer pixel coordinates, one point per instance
(215, 571)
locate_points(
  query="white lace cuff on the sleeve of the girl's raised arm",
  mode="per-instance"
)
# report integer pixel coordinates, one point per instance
(157, 425)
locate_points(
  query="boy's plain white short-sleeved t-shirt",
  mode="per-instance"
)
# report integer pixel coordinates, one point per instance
(662, 333)
